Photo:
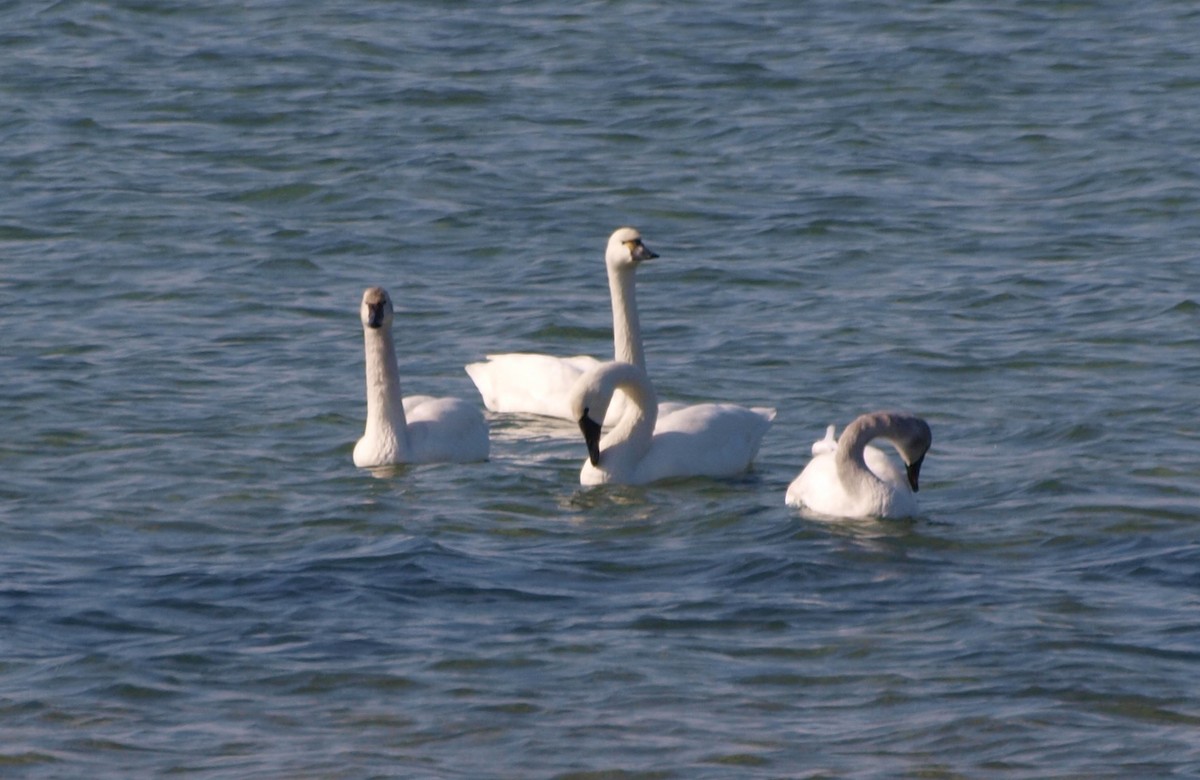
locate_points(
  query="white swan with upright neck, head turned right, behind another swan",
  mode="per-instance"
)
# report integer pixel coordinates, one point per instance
(539, 385)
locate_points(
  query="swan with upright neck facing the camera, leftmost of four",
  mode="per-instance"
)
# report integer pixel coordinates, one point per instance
(417, 429)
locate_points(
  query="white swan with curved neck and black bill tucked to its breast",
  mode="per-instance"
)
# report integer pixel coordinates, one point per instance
(649, 443)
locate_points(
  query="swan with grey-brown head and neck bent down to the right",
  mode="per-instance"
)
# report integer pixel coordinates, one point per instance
(849, 479)
